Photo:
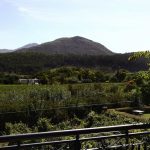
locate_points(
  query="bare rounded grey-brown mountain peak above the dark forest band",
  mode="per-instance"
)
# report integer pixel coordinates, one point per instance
(74, 45)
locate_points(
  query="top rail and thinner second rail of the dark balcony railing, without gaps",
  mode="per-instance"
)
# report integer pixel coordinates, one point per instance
(75, 132)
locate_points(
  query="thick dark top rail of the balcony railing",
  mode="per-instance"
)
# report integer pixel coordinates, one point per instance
(6, 138)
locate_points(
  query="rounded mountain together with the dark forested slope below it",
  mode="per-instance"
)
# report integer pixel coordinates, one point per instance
(76, 51)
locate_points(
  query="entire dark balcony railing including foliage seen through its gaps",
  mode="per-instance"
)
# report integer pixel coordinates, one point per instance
(130, 136)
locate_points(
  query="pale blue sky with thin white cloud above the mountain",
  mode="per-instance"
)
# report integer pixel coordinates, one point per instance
(120, 25)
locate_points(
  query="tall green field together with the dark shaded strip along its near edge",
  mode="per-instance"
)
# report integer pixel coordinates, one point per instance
(28, 103)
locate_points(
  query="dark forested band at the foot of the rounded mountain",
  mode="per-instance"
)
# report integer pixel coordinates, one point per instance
(29, 63)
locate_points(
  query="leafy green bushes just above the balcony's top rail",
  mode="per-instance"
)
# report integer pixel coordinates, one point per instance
(91, 119)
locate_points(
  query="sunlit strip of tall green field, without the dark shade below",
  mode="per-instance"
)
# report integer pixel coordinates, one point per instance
(21, 97)
